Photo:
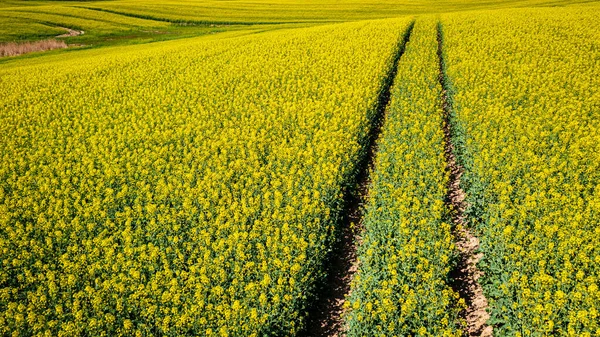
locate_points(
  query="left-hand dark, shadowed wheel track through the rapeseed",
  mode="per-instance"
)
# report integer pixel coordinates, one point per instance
(325, 318)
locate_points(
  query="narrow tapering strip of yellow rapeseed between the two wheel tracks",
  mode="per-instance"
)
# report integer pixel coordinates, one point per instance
(401, 288)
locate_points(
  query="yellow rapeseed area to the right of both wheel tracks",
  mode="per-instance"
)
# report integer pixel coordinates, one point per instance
(526, 92)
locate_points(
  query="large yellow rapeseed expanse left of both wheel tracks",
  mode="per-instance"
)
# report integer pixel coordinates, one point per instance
(182, 188)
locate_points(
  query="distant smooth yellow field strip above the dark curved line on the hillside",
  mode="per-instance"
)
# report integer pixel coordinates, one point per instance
(264, 11)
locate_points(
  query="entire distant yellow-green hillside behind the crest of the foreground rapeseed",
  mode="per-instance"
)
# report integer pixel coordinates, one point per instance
(107, 22)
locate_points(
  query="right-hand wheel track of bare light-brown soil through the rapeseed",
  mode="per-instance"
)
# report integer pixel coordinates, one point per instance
(465, 276)
